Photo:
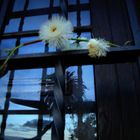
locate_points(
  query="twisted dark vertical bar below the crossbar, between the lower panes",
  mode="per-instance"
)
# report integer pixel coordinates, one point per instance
(58, 105)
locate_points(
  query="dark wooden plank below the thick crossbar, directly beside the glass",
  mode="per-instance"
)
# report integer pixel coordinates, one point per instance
(108, 106)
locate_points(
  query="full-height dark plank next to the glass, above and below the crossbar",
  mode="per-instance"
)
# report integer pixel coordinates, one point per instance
(108, 107)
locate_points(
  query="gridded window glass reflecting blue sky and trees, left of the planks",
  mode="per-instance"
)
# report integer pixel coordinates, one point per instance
(23, 88)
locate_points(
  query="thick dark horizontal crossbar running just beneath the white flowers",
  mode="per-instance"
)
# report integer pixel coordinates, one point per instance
(73, 57)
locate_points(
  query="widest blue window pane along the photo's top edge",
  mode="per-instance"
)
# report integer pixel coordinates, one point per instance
(34, 4)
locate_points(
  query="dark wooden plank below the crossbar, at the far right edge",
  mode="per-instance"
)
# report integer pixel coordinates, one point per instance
(128, 100)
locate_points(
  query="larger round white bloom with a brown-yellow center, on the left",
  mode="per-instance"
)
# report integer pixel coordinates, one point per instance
(56, 31)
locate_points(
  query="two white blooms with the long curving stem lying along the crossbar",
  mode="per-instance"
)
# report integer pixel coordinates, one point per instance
(57, 32)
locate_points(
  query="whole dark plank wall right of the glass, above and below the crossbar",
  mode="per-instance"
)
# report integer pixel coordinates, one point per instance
(117, 85)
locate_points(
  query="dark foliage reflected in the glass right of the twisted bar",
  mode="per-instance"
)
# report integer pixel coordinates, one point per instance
(85, 125)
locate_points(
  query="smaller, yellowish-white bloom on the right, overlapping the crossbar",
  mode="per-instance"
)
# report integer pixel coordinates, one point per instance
(97, 47)
